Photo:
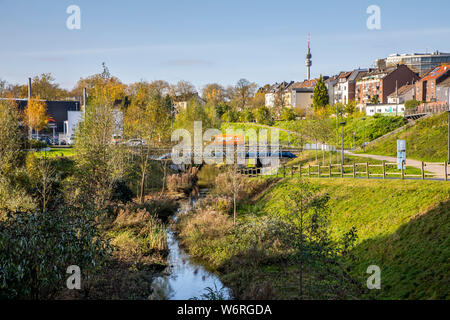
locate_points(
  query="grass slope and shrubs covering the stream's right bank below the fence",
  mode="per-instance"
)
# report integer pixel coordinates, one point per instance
(401, 226)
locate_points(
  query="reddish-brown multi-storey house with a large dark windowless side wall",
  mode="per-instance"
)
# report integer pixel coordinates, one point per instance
(380, 83)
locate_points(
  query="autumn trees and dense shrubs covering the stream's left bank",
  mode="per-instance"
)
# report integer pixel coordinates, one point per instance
(93, 210)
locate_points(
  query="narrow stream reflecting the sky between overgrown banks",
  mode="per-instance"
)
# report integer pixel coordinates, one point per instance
(184, 279)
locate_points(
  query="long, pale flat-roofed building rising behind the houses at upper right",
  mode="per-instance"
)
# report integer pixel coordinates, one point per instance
(422, 63)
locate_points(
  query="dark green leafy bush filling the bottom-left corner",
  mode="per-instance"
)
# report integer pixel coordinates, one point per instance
(37, 248)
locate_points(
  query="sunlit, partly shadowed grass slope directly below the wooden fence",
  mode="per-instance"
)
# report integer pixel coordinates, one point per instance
(402, 226)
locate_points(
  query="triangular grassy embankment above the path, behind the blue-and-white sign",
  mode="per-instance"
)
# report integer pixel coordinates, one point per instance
(426, 140)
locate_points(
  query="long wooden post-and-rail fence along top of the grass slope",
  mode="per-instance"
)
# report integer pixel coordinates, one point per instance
(354, 170)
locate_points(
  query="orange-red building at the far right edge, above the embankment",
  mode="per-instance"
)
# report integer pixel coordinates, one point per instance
(426, 87)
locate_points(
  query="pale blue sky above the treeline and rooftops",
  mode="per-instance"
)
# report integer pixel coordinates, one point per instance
(205, 41)
